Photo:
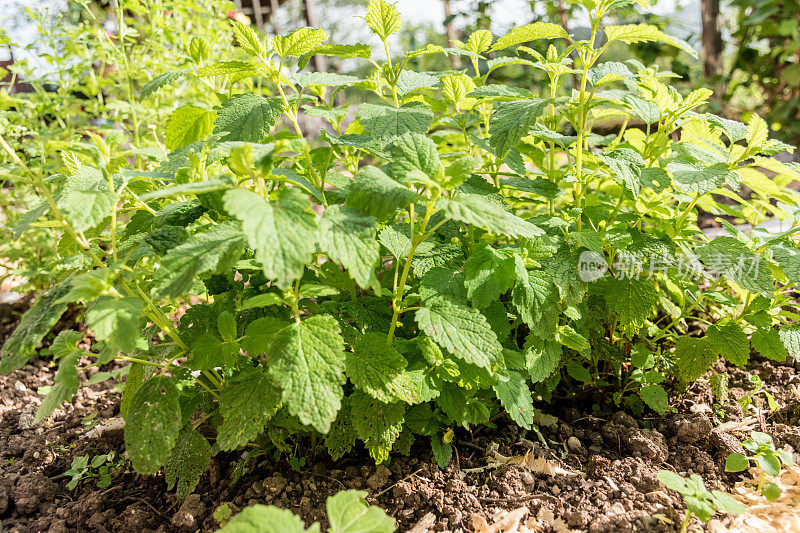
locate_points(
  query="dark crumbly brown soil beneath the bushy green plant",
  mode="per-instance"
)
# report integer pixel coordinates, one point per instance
(609, 460)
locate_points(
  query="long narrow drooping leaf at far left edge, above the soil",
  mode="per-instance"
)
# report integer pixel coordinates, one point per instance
(34, 325)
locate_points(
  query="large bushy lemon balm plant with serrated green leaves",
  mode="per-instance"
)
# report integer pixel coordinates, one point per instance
(459, 249)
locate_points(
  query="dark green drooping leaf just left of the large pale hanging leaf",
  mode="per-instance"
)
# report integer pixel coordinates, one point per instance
(246, 402)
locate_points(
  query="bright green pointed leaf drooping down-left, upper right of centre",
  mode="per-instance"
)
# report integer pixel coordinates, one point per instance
(511, 121)
